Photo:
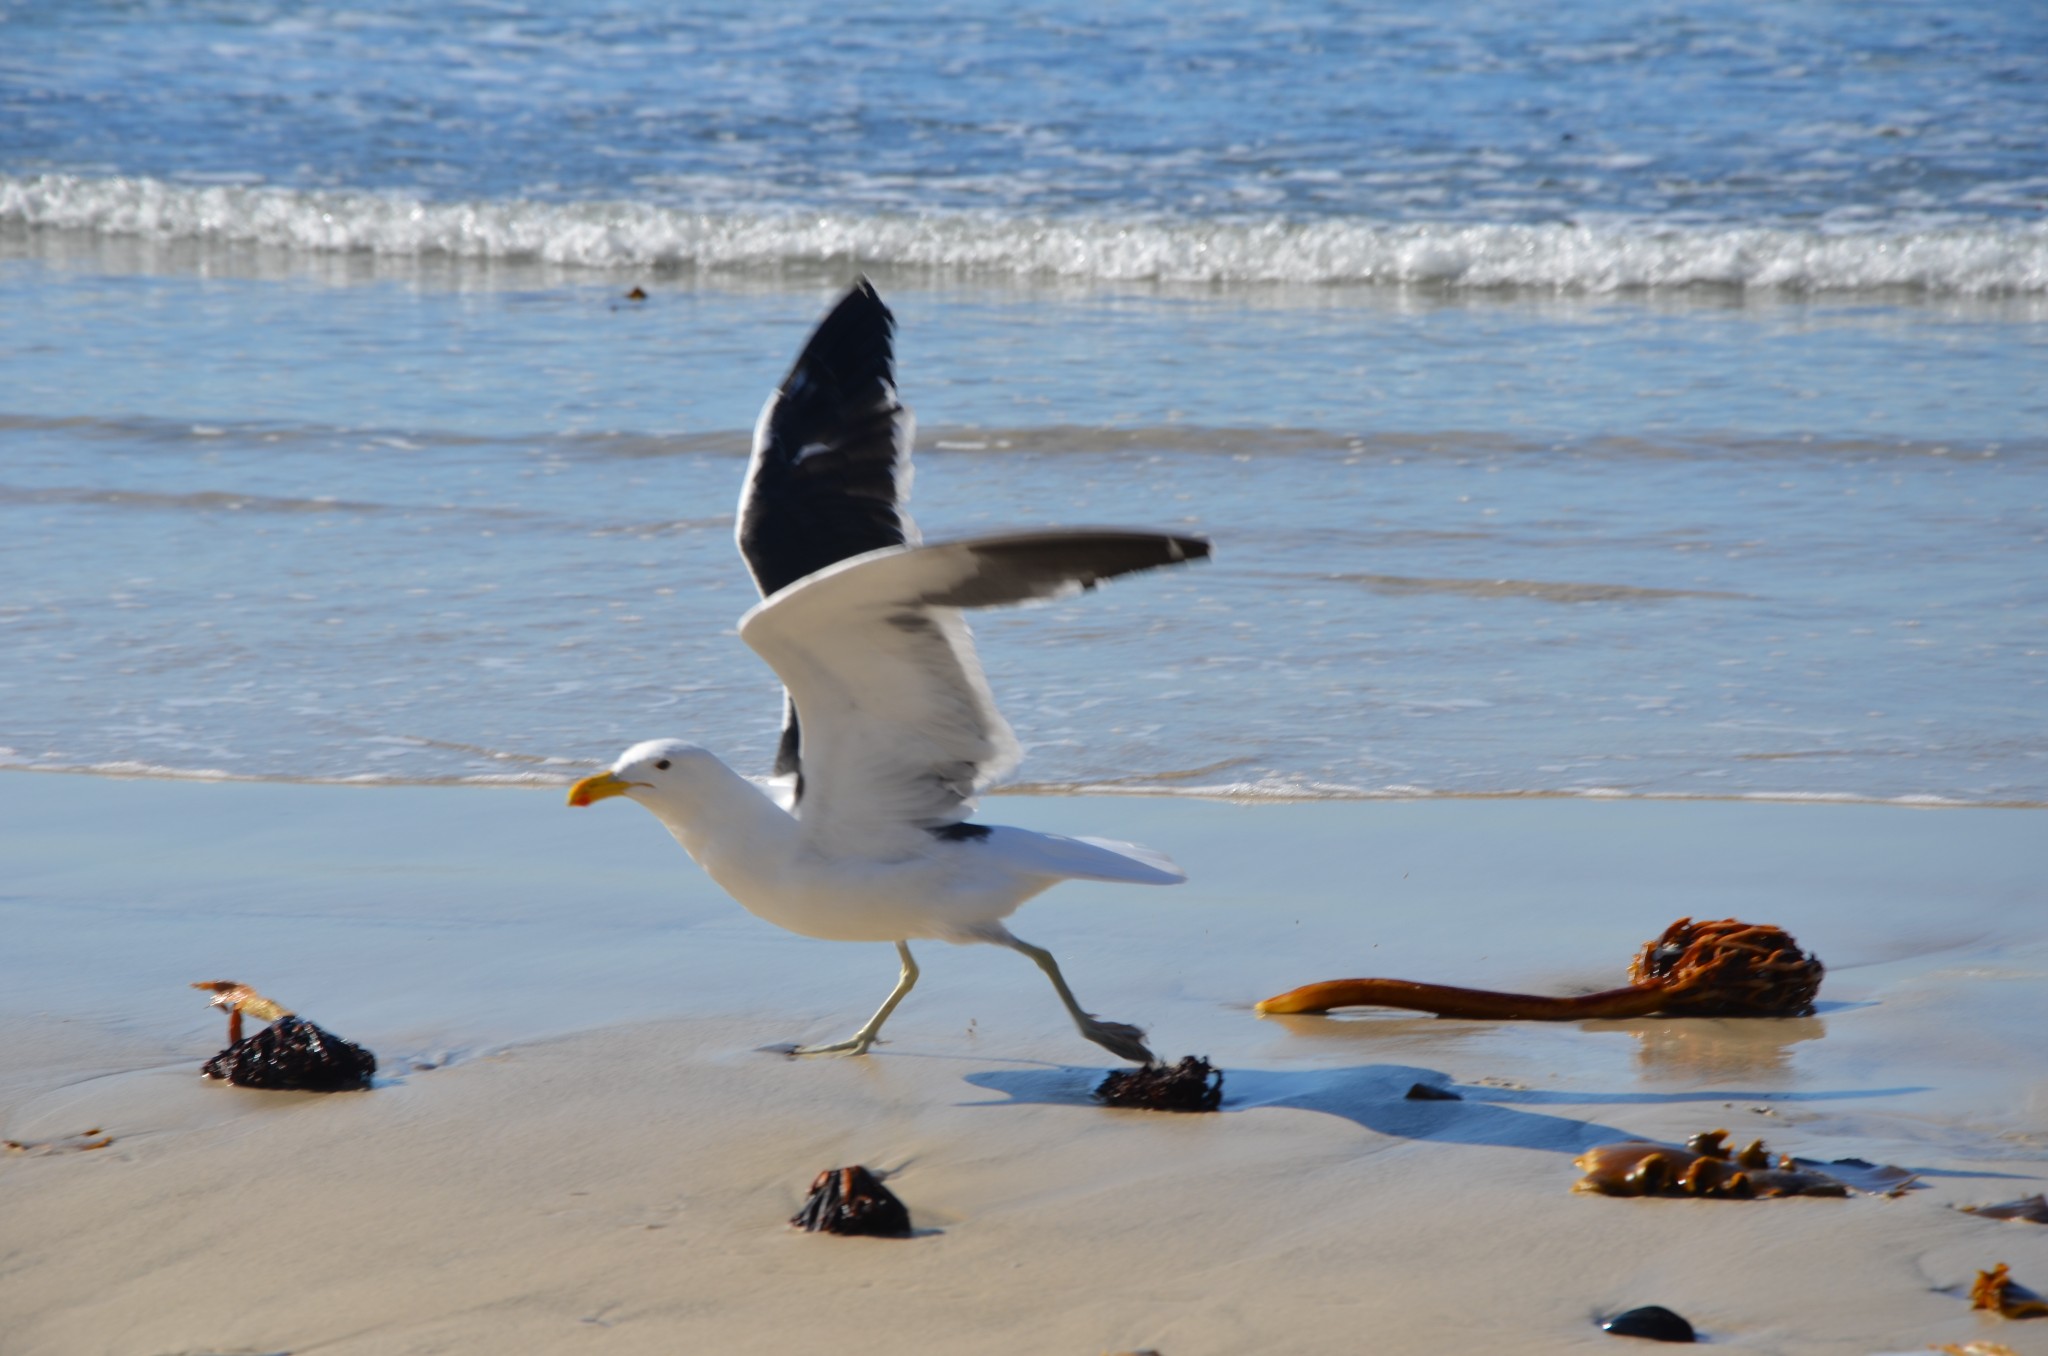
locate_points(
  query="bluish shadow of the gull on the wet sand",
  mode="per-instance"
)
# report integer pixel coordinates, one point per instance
(1377, 1099)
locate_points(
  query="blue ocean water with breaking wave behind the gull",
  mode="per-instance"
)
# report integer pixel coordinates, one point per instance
(1615, 400)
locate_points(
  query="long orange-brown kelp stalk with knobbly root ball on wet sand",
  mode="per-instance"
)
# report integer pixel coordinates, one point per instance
(1723, 968)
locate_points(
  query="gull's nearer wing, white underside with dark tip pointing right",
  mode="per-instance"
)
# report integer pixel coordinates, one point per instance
(900, 728)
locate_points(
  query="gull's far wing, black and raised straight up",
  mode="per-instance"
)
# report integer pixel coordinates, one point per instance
(830, 466)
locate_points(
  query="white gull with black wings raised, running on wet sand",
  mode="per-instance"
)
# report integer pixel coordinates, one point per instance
(890, 730)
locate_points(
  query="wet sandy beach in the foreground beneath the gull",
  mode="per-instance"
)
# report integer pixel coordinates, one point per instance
(577, 1142)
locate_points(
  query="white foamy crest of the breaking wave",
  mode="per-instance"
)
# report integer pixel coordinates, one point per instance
(1555, 257)
